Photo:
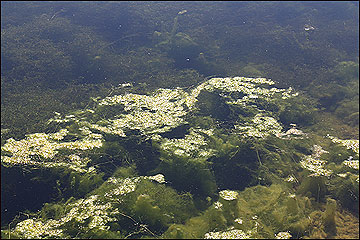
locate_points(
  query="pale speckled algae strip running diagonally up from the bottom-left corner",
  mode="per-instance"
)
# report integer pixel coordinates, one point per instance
(92, 213)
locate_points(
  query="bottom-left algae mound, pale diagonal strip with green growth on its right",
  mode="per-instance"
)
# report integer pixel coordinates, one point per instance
(96, 213)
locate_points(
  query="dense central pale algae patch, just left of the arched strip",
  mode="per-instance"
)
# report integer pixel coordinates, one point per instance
(157, 113)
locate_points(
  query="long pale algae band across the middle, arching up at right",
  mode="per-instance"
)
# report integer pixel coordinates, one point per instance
(166, 109)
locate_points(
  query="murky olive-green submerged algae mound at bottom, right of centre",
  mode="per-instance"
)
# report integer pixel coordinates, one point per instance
(257, 212)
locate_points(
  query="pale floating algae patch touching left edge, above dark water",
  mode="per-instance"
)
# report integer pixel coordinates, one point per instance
(41, 150)
